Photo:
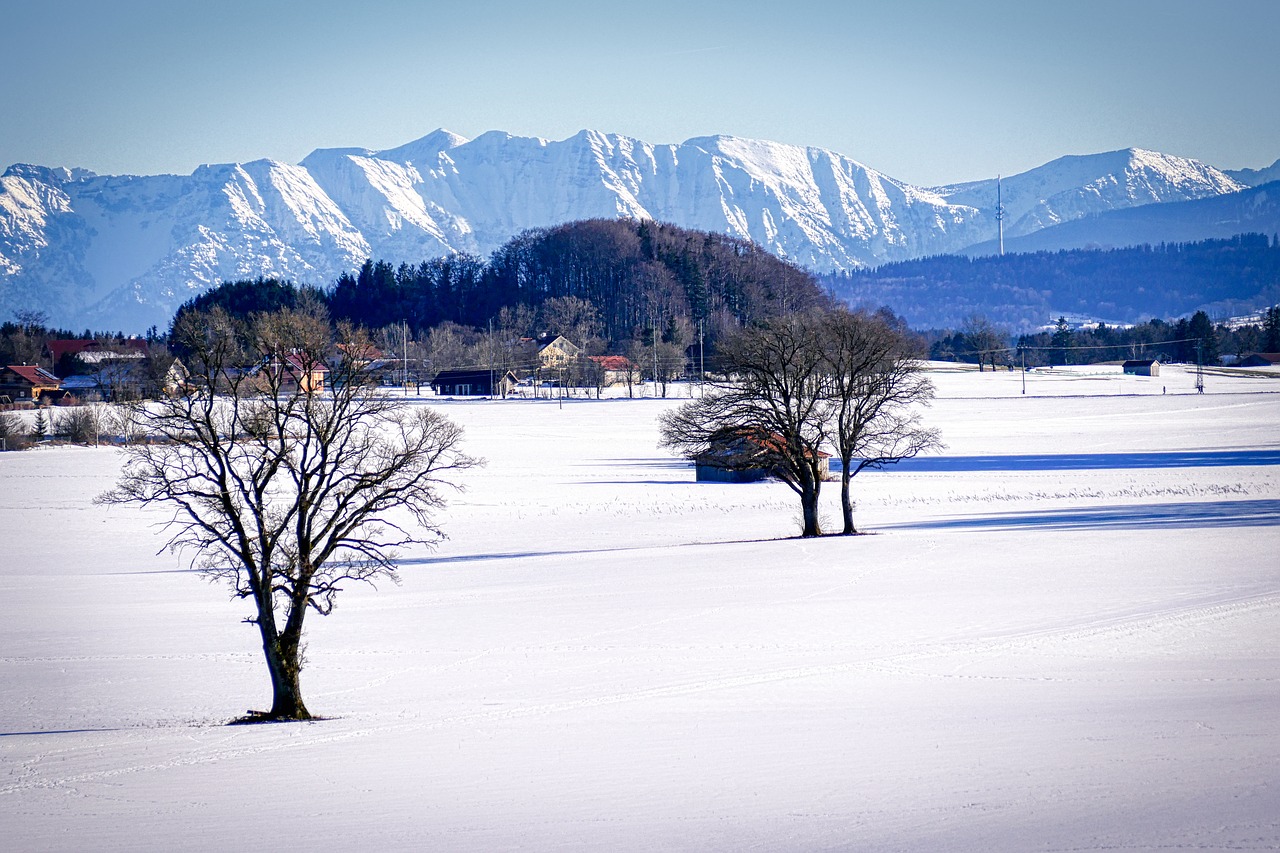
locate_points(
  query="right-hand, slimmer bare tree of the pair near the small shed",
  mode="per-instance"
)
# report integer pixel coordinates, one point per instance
(875, 384)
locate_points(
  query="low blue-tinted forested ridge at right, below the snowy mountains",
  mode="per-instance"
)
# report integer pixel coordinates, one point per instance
(1026, 291)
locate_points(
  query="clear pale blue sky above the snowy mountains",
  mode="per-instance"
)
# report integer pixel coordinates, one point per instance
(925, 92)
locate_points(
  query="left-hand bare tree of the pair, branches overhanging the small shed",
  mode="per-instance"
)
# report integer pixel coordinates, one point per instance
(778, 400)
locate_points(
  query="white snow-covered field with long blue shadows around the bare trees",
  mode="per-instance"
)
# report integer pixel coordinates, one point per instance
(1063, 636)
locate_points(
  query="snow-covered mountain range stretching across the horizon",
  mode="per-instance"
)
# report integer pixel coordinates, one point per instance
(124, 252)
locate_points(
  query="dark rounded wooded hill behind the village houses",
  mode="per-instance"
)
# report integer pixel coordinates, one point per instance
(634, 275)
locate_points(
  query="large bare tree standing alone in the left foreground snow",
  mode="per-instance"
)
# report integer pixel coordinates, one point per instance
(285, 487)
